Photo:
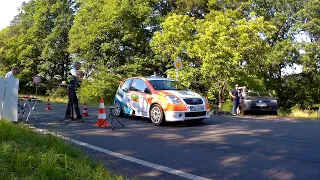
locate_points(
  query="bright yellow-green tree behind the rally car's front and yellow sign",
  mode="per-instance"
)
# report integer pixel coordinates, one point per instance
(215, 47)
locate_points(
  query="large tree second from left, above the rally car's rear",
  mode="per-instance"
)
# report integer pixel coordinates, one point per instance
(114, 33)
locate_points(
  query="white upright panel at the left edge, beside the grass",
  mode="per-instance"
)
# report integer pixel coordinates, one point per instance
(9, 88)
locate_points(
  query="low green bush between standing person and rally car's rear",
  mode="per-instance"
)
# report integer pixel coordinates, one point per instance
(102, 84)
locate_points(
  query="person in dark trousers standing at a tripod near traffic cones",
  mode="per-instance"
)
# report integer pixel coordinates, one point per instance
(73, 80)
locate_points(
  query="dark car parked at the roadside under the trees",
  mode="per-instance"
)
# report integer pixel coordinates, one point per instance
(258, 102)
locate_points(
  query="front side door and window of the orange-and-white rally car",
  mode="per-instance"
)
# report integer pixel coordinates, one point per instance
(138, 97)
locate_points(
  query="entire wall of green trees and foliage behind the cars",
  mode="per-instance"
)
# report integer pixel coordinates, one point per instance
(220, 43)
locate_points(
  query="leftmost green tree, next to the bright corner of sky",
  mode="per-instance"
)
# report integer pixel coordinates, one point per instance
(40, 40)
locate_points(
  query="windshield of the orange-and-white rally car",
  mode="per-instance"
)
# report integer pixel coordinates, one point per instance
(166, 85)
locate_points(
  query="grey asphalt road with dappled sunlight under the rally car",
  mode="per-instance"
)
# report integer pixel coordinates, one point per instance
(218, 148)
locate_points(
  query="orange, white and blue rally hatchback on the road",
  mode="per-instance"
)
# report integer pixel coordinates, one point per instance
(159, 99)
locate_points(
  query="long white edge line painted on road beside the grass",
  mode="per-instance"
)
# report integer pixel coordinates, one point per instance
(128, 158)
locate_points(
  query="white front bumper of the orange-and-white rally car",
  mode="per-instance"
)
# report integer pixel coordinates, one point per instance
(172, 116)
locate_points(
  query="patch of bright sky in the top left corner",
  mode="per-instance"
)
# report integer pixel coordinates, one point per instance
(8, 9)
